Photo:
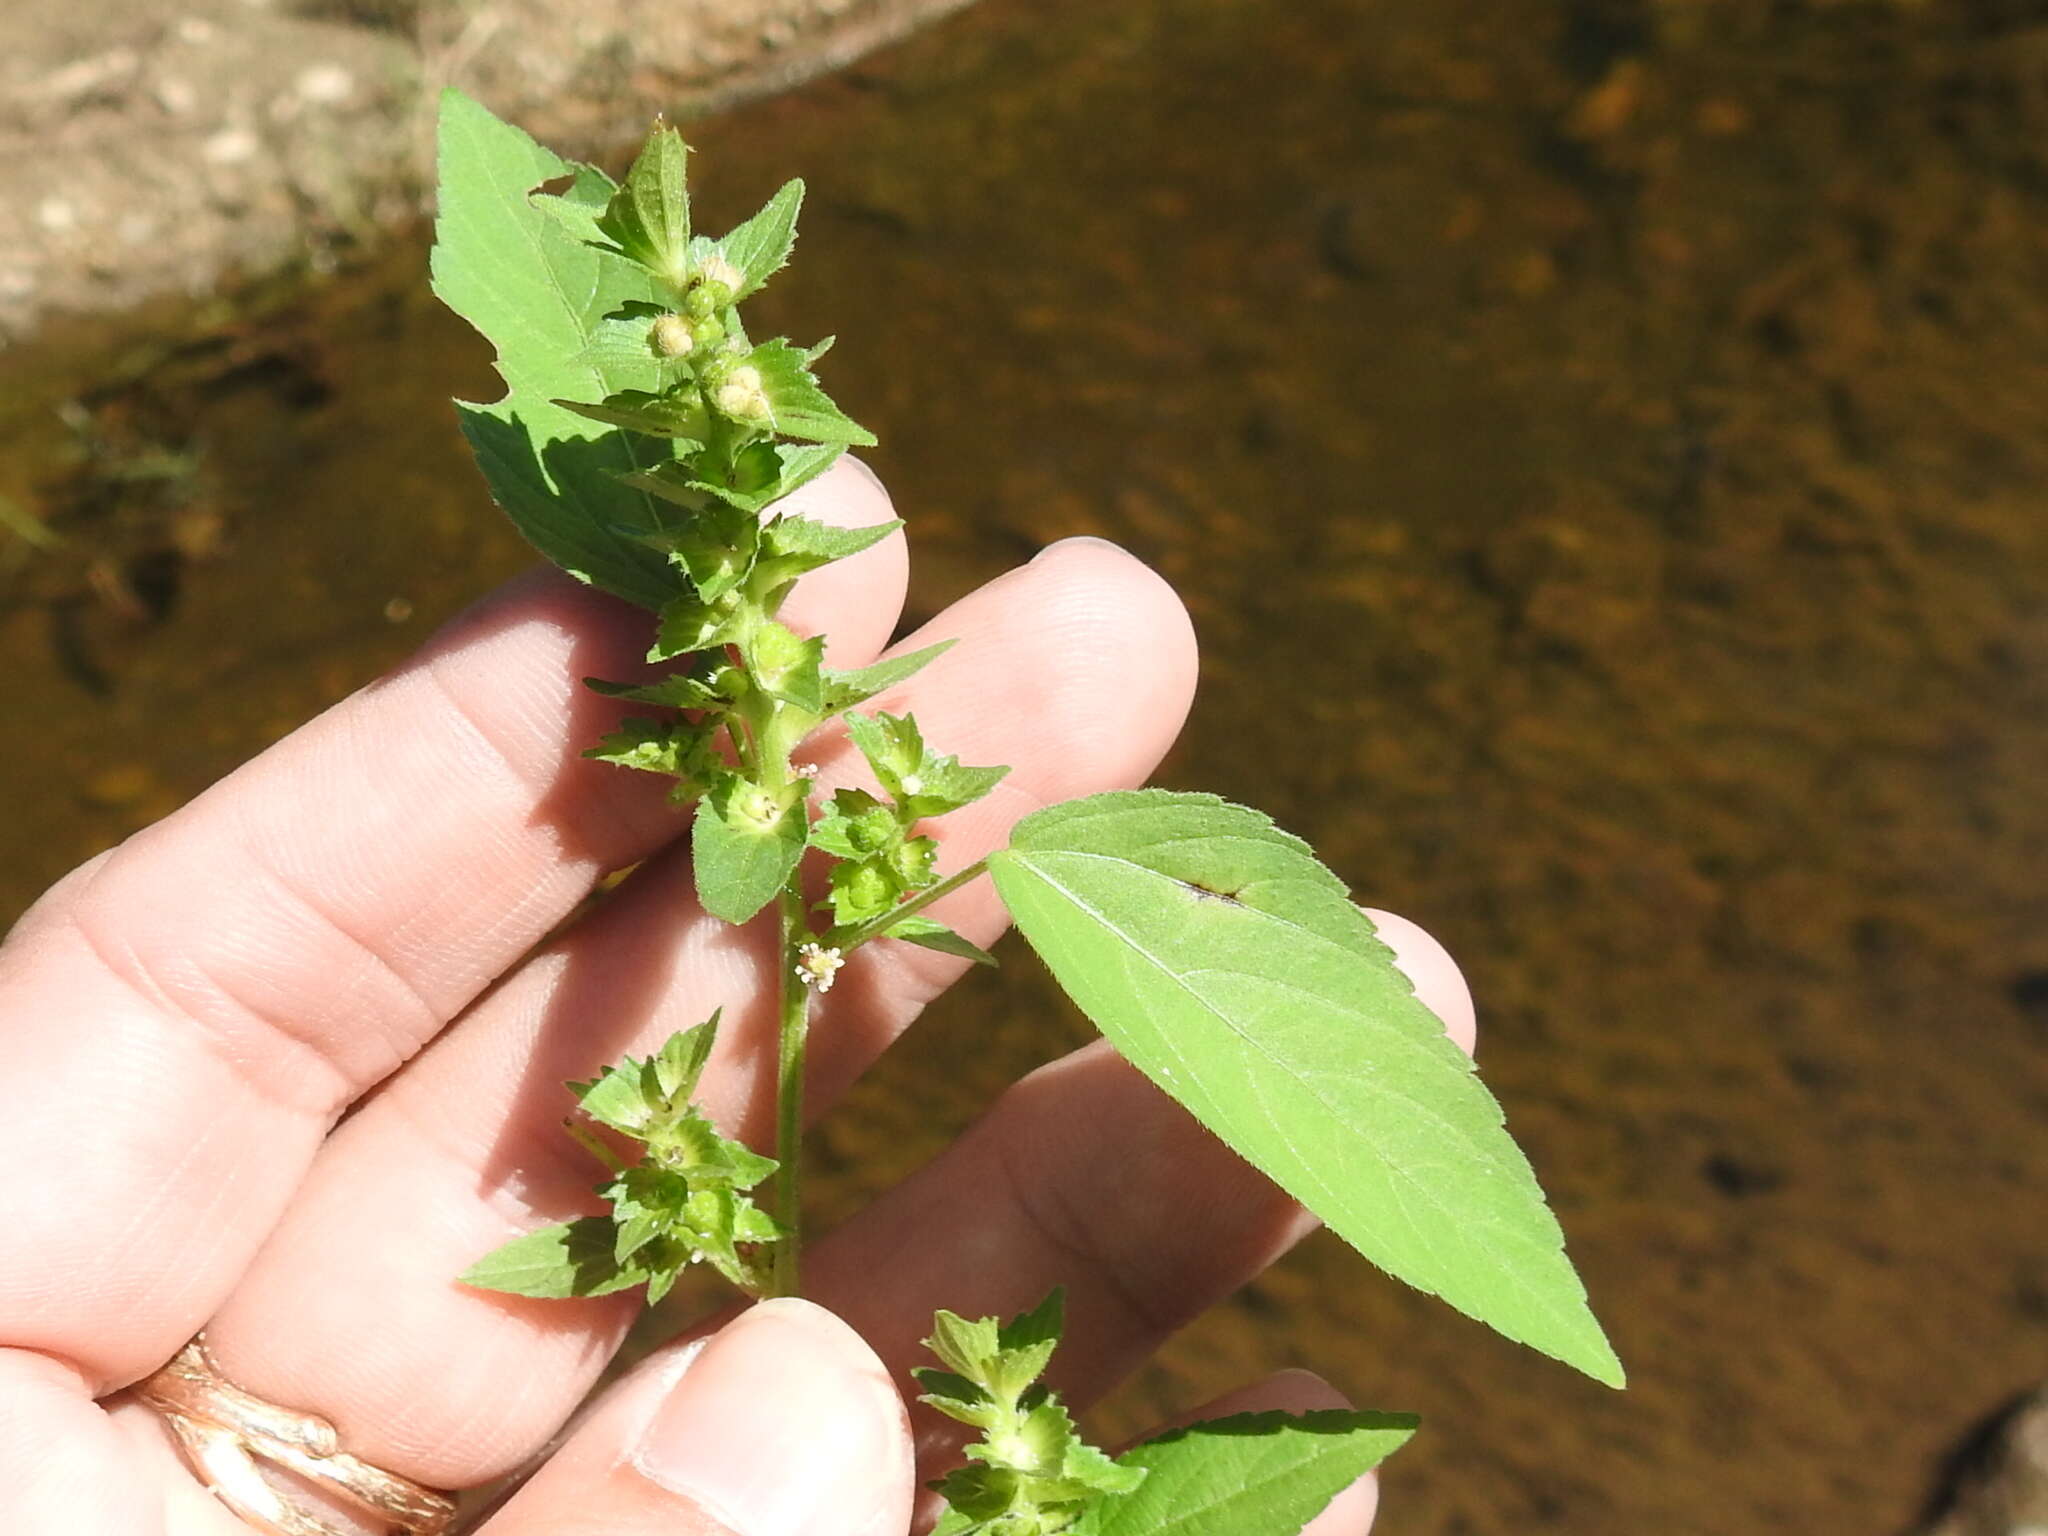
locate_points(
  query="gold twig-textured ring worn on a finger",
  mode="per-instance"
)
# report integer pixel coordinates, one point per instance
(228, 1433)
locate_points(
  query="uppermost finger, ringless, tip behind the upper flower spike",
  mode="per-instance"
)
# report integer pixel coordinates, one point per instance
(187, 1015)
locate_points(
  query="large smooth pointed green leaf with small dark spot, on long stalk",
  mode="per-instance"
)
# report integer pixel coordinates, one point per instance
(1232, 968)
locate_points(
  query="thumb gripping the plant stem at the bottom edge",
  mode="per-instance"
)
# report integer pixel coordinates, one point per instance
(783, 1424)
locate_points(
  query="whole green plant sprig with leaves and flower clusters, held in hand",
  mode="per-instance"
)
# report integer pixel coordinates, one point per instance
(648, 445)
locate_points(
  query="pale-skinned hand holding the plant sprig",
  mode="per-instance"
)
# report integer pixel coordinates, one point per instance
(187, 1019)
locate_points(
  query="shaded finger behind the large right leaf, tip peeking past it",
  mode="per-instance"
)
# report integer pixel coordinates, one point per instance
(1082, 1177)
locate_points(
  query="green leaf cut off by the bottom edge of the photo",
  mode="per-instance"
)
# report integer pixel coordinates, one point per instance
(1248, 1476)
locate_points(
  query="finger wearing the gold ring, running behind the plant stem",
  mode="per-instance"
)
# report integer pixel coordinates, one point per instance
(355, 1312)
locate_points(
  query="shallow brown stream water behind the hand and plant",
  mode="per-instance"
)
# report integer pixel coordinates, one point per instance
(1605, 445)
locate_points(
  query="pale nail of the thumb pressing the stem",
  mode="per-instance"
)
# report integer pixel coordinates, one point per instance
(783, 1426)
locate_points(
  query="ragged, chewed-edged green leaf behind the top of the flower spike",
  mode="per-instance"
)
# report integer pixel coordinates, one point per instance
(515, 269)
